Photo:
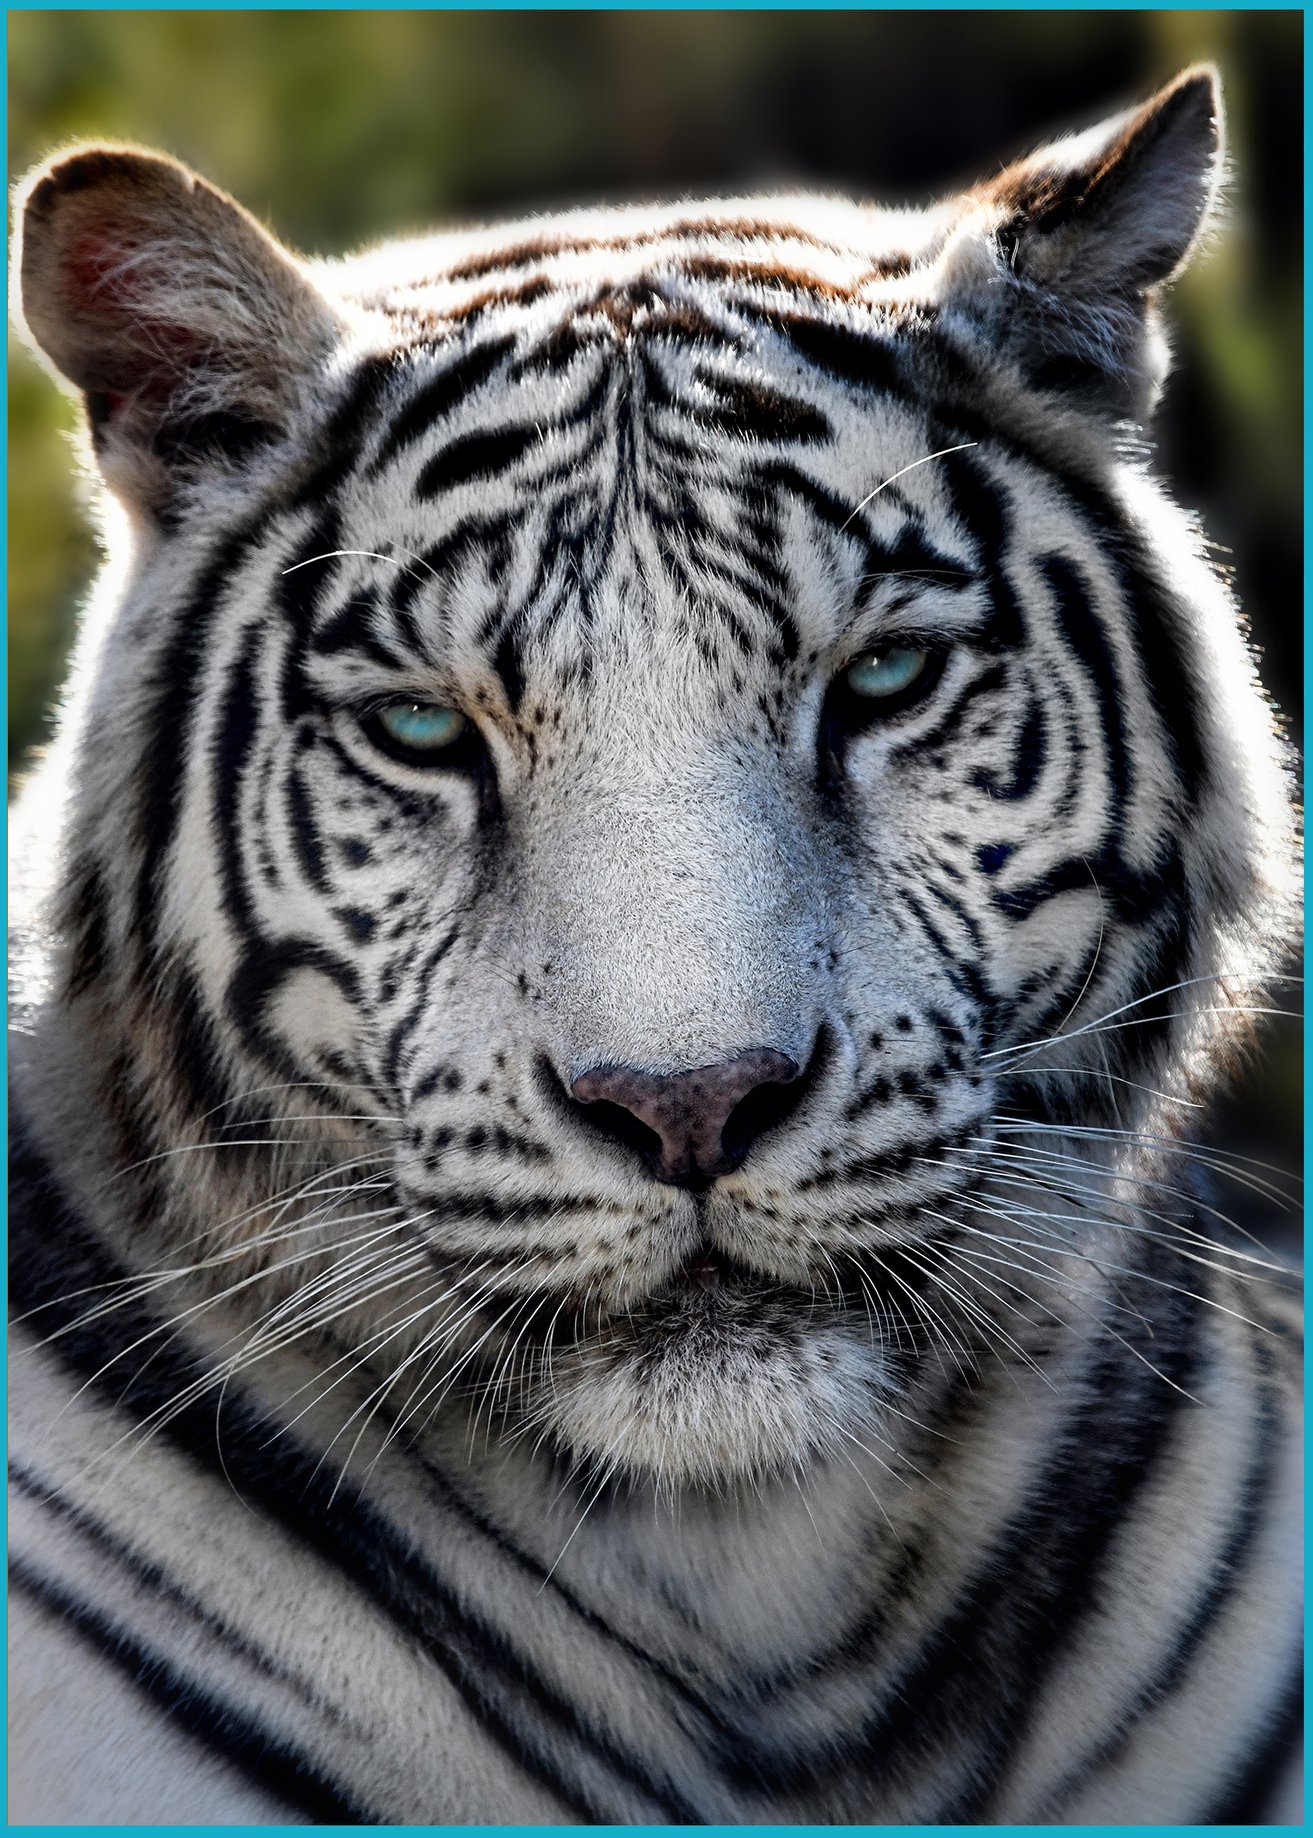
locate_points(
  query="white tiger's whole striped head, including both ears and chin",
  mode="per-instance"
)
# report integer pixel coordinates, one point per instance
(657, 743)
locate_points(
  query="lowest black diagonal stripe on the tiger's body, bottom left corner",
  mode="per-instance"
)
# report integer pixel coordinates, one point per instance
(273, 1765)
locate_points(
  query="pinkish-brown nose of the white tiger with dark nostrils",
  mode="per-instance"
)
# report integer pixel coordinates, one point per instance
(694, 1126)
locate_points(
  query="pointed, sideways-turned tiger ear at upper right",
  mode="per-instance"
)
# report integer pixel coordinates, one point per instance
(1090, 229)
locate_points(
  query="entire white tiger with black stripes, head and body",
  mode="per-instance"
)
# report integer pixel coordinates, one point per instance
(657, 850)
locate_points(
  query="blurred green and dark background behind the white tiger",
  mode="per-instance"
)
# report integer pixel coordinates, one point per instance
(345, 128)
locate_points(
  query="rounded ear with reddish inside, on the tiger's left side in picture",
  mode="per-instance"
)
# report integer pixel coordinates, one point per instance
(185, 324)
